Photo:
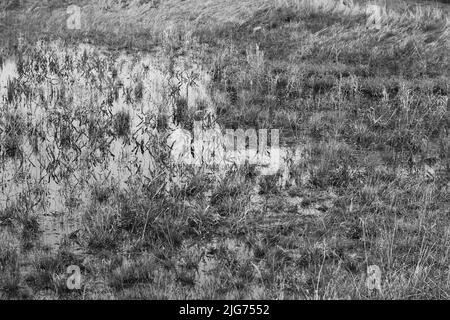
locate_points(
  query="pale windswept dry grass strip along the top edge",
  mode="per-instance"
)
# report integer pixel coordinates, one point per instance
(144, 23)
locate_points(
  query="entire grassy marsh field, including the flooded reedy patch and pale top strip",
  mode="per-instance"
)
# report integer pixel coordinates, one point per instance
(365, 110)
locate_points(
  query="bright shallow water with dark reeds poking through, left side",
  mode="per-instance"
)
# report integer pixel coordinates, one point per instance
(77, 117)
